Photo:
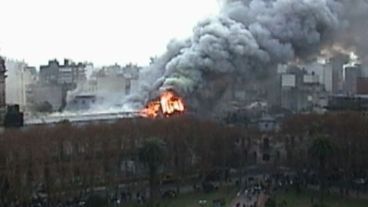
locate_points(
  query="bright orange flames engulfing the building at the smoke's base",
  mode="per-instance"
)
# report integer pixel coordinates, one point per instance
(167, 105)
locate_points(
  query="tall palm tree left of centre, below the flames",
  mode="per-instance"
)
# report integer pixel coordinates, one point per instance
(152, 155)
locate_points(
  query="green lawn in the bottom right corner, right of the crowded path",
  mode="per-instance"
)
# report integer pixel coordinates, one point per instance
(304, 200)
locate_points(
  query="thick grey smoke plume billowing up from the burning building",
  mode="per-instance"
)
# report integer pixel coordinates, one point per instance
(249, 38)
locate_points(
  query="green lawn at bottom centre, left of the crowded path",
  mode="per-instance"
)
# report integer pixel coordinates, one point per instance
(191, 199)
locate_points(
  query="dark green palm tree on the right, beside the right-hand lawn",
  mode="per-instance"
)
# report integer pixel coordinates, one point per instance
(320, 152)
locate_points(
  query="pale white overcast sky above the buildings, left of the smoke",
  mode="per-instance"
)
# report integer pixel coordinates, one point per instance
(100, 31)
